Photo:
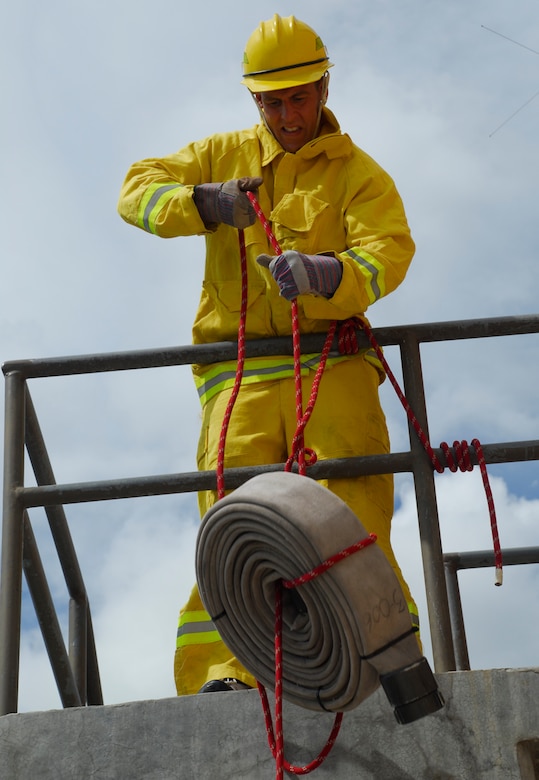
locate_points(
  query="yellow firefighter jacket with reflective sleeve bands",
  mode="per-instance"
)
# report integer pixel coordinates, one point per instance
(328, 197)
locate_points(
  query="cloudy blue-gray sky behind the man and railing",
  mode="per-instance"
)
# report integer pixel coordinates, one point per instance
(431, 90)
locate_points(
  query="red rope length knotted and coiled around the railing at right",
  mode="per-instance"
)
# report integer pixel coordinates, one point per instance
(348, 344)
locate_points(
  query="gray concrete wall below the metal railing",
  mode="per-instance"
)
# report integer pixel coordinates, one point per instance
(221, 736)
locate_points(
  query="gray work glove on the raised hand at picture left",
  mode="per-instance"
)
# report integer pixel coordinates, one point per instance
(227, 202)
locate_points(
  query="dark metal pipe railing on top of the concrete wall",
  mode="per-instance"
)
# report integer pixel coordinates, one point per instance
(76, 669)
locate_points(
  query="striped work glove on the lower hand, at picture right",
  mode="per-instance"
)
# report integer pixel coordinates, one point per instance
(297, 274)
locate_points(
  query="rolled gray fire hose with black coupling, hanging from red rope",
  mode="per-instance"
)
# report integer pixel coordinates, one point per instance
(344, 632)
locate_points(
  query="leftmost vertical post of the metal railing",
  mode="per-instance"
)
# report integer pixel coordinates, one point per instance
(12, 543)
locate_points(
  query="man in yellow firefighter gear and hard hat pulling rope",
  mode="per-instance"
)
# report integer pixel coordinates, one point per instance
(345, 242)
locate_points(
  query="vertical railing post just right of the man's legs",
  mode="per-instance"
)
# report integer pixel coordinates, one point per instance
(427, 511)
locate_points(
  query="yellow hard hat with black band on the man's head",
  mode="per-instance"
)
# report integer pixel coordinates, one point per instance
(283, 53)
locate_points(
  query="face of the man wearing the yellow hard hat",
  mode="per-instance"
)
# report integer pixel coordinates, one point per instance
(292, 114)
